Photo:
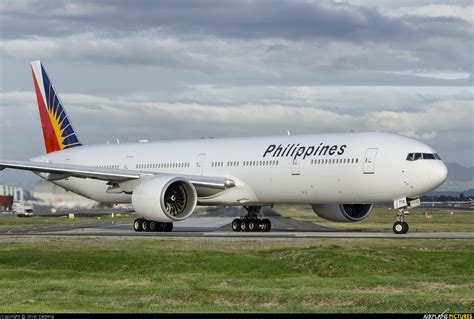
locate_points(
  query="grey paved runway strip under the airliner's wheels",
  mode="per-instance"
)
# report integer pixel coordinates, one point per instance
(219, 227)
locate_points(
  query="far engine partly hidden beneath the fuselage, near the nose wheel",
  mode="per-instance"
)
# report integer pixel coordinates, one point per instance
(342, 212)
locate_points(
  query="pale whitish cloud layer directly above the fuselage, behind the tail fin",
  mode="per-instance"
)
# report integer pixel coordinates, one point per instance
(134, 120)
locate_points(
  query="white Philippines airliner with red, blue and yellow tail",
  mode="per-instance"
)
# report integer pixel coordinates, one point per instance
(340, 175)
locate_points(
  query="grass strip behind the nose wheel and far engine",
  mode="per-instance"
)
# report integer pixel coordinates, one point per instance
(381, 219)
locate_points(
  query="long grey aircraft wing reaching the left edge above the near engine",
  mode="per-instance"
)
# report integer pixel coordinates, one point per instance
(62, 171)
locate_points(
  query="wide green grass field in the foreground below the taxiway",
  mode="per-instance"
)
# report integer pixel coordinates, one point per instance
(86, 274)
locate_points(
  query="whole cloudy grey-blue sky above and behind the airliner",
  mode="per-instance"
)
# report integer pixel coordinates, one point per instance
(156, 70)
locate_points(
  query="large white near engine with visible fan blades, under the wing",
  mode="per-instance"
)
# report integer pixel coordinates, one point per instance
(165, 199)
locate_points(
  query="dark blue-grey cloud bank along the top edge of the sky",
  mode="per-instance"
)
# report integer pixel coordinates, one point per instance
(240, 19)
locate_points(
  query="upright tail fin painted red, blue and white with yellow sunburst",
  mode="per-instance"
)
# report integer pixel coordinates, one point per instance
(58, 132)
